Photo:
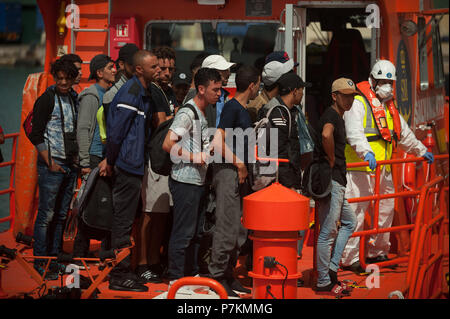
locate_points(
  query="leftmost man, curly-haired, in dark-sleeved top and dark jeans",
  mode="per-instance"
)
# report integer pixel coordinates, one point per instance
(54, 136)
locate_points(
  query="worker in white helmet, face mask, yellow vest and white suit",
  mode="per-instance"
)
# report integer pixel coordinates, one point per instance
(374, 127)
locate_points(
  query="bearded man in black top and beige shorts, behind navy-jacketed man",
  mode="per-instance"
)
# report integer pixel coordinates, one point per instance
(156, 196)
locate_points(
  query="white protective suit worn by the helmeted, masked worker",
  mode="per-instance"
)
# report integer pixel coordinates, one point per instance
(361, 183)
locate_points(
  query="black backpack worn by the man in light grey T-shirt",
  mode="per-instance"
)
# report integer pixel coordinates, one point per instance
(159, 159)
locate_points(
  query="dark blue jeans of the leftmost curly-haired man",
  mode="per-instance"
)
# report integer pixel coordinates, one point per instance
(55, 195)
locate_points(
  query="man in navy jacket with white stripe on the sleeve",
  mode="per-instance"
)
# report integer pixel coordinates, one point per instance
(128, 128)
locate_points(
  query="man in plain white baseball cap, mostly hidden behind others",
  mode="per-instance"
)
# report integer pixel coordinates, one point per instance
(219, 63)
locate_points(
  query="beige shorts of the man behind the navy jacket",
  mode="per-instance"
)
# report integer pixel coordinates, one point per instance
(156, 196)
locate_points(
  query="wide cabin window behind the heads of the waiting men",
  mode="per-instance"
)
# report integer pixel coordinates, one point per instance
(239, 42)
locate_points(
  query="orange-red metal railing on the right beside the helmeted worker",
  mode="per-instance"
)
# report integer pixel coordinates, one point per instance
(421, 258)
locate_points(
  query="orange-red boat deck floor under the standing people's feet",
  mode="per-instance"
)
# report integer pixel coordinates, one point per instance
(16, 282)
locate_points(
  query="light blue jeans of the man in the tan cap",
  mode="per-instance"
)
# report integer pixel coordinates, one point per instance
(331, 241)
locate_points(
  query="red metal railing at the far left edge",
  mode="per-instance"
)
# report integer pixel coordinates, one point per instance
(11, 189)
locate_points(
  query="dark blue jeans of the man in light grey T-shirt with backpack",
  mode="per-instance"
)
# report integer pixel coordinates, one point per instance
(188, 219)
